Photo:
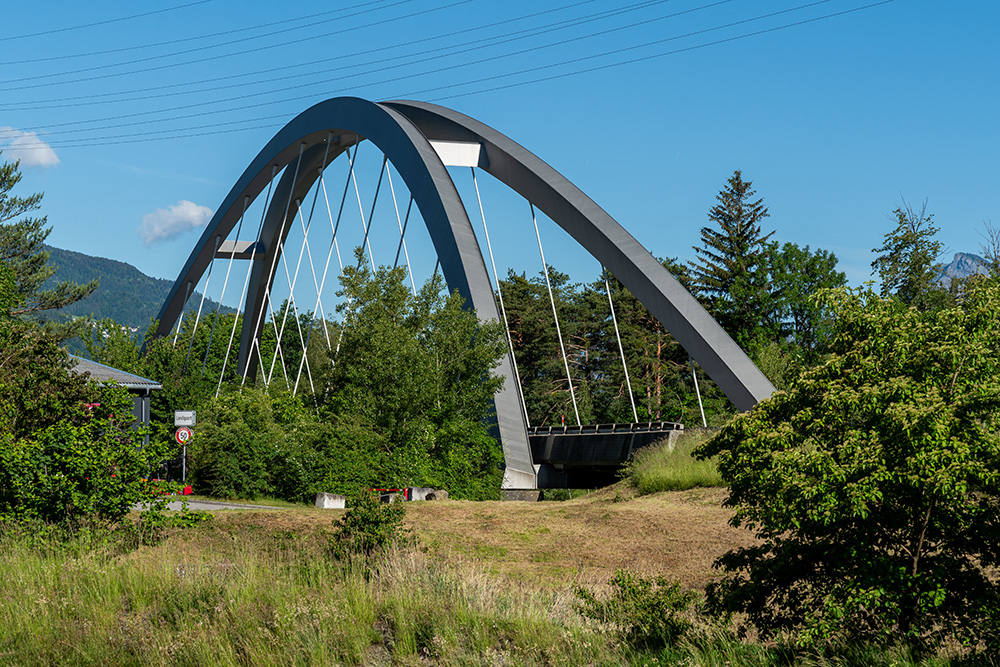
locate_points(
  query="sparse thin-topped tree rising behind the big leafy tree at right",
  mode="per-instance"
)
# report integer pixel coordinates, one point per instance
(907, 263)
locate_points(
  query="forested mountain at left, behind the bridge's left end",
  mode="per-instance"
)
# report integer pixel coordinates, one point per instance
(126, 294)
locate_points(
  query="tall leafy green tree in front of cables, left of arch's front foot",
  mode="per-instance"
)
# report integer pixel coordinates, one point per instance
(418, 372)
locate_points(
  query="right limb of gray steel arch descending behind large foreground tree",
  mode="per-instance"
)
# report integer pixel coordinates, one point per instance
(607, 241)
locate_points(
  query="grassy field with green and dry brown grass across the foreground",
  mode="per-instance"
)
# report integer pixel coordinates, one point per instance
(488, 583)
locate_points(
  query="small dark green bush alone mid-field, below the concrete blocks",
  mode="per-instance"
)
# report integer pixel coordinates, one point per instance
(369, 527)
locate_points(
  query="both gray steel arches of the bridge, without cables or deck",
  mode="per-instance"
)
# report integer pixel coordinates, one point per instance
(402, 130)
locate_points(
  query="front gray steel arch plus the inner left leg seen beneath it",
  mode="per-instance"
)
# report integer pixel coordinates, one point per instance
(349, 120)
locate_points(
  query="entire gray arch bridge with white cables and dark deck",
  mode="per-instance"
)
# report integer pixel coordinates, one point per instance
(421, 141)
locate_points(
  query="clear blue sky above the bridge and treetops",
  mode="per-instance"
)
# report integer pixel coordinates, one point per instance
(836, 120)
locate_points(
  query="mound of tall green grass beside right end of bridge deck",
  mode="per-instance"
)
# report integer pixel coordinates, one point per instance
(661, 467)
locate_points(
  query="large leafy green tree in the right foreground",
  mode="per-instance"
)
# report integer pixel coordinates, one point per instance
(874, 482)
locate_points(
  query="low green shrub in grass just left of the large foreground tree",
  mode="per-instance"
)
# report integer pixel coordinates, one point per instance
(648, 612)
